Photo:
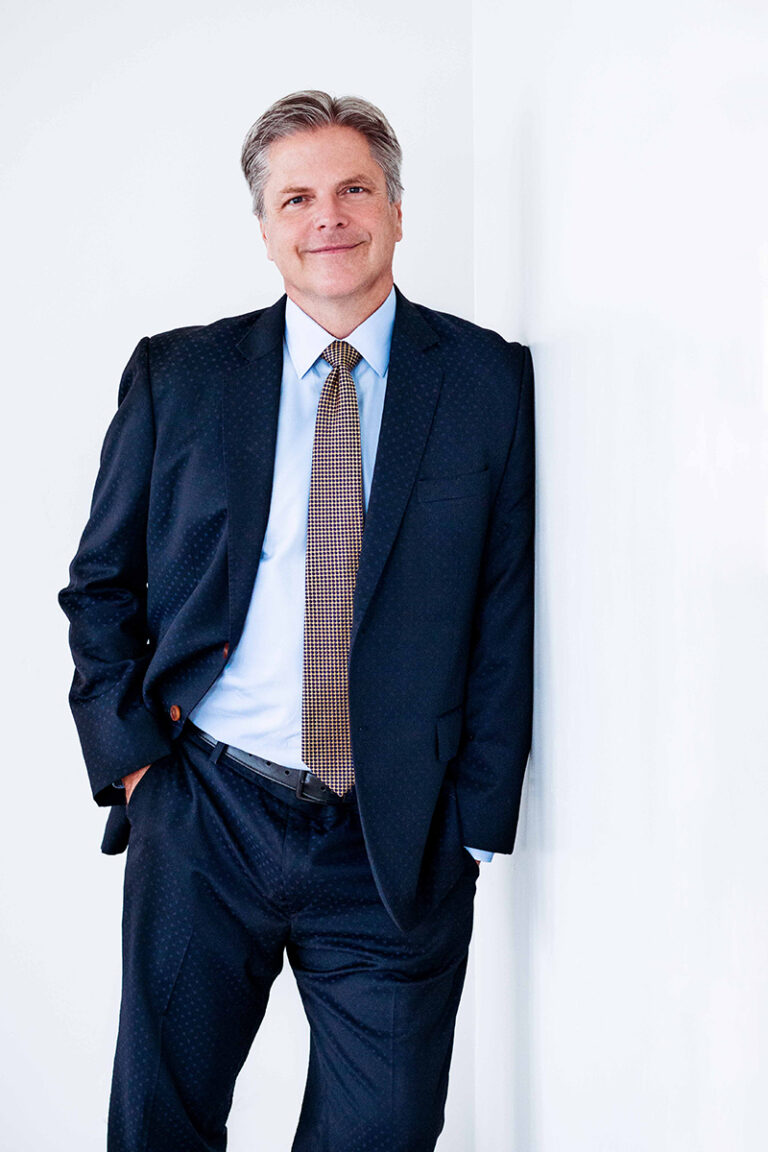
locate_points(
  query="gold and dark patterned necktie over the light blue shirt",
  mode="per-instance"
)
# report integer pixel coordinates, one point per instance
(334, 536)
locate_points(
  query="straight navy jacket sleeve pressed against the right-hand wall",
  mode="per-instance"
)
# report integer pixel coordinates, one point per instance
(499, 699)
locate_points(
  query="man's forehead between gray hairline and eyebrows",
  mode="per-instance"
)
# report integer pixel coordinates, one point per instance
(334, 153)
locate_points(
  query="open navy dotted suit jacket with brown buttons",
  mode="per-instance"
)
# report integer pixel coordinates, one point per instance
(442, 654)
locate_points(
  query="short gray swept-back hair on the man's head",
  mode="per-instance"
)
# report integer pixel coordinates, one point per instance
(311, 109)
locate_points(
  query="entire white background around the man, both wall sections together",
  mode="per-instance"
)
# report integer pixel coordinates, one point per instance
(589, 180)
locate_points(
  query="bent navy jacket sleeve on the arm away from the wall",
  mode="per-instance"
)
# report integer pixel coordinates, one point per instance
(107, 598)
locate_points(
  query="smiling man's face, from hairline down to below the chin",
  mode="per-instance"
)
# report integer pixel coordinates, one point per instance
(328, 224)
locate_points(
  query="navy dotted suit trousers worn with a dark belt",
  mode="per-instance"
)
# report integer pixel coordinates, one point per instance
(225, 871)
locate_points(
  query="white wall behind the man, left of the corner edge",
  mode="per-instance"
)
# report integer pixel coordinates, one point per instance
(124, 213)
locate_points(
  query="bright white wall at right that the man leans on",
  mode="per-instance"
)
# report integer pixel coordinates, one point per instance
(620, 207)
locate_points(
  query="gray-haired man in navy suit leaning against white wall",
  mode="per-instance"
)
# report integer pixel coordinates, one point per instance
(301, 616)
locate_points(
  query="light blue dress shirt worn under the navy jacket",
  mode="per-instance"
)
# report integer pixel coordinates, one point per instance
(256, 702)
